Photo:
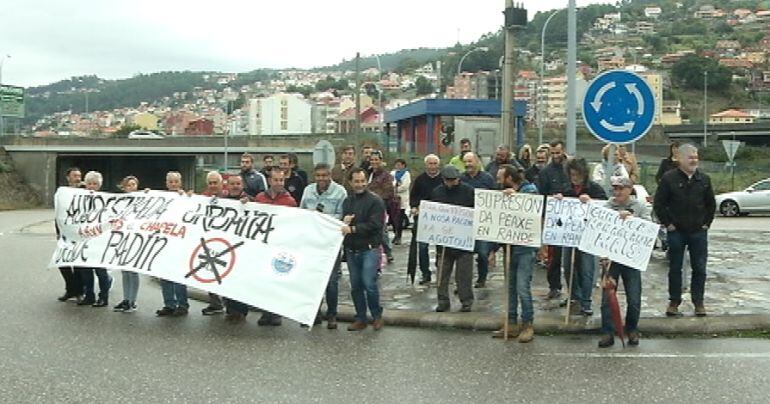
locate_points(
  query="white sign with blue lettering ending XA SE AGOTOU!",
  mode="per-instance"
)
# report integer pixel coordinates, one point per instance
(446, 225)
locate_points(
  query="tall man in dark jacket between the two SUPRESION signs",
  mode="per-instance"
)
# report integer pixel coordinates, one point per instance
(553, 180)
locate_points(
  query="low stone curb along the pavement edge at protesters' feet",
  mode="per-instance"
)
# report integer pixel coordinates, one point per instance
(553, 323)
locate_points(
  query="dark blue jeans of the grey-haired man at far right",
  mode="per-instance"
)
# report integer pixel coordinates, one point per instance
(697, 242)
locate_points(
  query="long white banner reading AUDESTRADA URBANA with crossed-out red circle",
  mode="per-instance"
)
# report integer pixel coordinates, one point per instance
(272, 257)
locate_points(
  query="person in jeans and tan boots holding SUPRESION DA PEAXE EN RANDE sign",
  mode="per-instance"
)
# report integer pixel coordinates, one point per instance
(521, 262)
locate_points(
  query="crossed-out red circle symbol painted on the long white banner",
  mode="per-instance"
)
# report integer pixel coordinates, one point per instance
(216, 256)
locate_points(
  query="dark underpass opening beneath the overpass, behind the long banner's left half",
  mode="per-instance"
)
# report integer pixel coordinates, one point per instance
(150, 170)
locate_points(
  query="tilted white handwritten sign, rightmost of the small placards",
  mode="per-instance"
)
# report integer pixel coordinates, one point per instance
(627, 241)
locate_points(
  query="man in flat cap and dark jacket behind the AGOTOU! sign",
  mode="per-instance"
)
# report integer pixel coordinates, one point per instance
(453, 192)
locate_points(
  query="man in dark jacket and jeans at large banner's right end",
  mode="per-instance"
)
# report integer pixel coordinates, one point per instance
(362, 213)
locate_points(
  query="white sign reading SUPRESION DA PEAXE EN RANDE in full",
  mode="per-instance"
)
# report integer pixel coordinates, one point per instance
(508, 219)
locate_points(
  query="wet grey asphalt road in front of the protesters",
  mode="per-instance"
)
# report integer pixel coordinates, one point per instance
(58, 352)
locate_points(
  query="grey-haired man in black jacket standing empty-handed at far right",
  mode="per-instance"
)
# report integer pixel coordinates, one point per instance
(684, 203)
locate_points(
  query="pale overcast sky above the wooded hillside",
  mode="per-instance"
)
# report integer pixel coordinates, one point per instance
(51, 40)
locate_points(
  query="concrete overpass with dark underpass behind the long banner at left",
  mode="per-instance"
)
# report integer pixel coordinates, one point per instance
(43, 161)
